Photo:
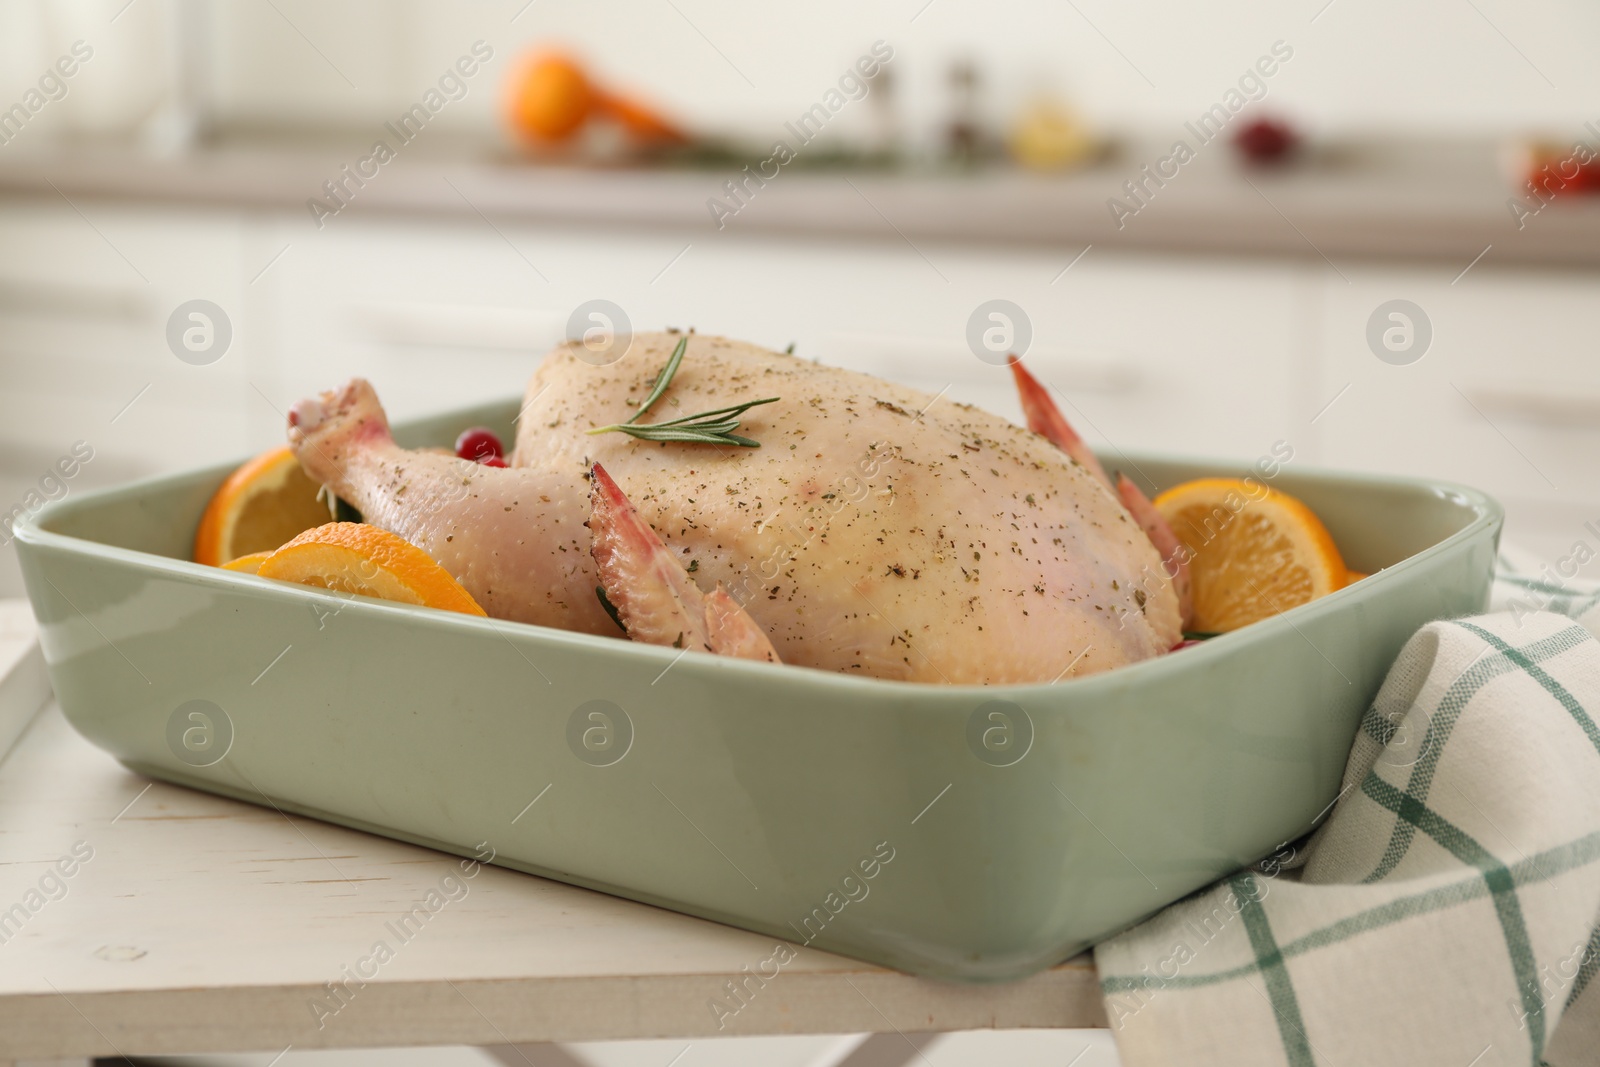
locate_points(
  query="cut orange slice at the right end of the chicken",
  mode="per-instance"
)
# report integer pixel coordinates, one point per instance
(1254, 551)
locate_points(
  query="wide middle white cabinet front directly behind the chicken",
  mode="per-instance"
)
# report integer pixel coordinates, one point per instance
(1150, 353)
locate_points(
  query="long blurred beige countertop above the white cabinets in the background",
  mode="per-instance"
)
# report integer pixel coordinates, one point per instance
(1446, 201)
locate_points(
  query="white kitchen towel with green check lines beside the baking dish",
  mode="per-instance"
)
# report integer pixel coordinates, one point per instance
(1449, 909)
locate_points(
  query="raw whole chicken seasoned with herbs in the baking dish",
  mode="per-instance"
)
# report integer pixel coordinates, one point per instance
(876, 530)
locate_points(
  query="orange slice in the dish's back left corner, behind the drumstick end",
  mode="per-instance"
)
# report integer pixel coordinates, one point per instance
(262, 506)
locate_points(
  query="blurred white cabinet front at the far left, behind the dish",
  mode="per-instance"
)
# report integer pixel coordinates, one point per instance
(84, 308)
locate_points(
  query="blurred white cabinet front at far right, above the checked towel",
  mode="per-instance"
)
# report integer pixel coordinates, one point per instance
(1506, 398)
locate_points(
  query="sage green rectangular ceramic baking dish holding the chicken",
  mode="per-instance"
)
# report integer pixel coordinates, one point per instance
(924, 828)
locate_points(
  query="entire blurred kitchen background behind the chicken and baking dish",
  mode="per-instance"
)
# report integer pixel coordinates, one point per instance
(553, 153)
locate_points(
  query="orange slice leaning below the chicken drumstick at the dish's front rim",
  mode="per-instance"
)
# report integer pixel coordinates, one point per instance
(372, 562)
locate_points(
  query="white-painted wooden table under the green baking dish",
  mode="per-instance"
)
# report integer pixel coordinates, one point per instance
(206, 925)
